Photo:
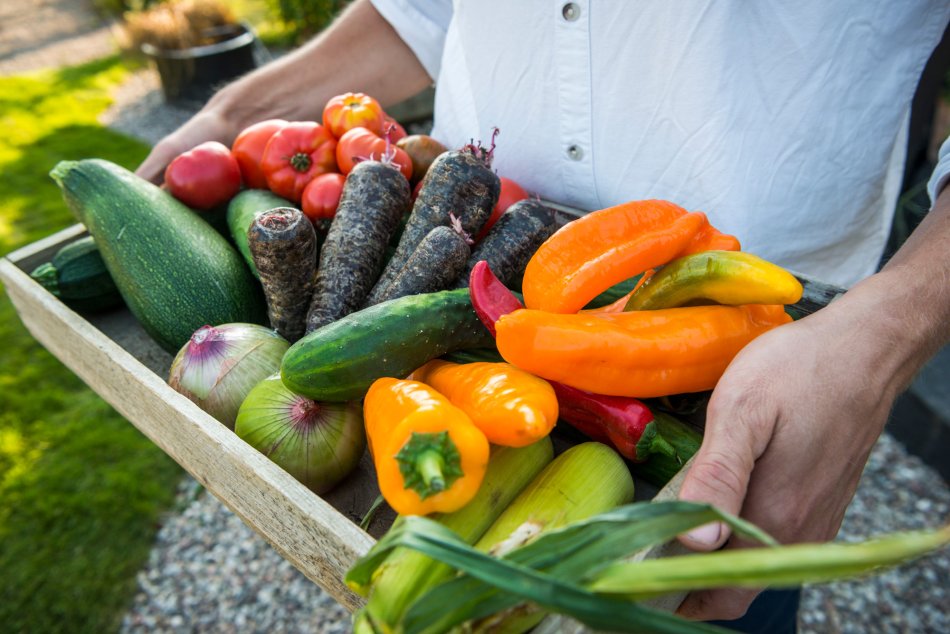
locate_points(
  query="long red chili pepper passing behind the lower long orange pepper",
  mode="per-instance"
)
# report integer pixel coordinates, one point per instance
(626, 424)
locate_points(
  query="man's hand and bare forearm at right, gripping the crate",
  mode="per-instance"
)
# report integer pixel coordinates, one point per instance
(791, 423)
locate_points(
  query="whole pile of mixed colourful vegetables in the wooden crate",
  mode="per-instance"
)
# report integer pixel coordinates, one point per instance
(363, 292)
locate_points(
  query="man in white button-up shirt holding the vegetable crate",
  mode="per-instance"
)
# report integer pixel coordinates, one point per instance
(785, 122)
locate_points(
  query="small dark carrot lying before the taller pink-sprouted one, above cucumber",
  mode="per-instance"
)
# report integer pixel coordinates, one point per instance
(437, 262)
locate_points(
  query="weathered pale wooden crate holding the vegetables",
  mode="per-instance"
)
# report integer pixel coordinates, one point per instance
(320, 535)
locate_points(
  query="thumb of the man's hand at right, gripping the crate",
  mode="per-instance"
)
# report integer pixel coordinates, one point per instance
(719, 476)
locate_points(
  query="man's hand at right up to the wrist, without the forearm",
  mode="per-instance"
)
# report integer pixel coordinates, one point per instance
(789, 429)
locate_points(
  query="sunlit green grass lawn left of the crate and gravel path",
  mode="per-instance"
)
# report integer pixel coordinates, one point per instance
(81, 490)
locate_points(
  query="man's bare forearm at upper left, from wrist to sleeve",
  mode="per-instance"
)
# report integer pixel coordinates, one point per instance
(359, 52)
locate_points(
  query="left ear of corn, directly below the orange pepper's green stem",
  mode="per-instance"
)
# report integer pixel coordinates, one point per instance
(405, 574)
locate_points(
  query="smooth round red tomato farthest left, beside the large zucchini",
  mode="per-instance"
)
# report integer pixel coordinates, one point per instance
(205, 176)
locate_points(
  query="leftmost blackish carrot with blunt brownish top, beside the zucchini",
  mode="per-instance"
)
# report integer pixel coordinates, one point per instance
(284, 247)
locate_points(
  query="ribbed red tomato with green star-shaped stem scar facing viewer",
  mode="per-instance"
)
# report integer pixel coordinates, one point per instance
(295, 155)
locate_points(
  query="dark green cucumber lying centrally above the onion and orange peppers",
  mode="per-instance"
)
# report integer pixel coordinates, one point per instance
(339, 361)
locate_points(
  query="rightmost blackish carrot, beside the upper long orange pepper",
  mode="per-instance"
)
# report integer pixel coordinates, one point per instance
(512, 241)
